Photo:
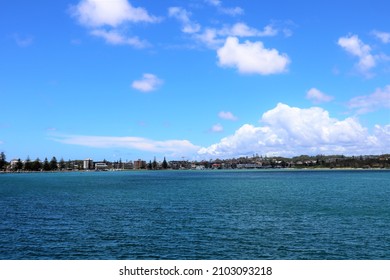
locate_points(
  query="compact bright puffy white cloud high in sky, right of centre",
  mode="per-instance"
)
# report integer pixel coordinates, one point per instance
(251, 57)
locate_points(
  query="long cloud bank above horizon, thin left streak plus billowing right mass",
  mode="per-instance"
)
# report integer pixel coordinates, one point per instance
(284, 131)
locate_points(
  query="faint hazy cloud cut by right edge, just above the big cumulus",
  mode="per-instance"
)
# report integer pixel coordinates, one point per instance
(368, 103)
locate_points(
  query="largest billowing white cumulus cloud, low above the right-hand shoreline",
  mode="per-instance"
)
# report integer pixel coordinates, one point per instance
(290, 131)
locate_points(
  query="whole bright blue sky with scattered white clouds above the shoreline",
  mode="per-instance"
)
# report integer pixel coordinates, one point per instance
(194, 80)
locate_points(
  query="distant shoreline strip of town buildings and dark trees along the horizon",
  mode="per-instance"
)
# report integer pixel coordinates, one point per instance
(252, 162)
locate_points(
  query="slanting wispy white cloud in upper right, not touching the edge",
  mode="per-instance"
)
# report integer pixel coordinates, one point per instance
(353, 45)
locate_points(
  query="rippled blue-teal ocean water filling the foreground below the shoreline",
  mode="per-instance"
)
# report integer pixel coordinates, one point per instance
(196, 215)
